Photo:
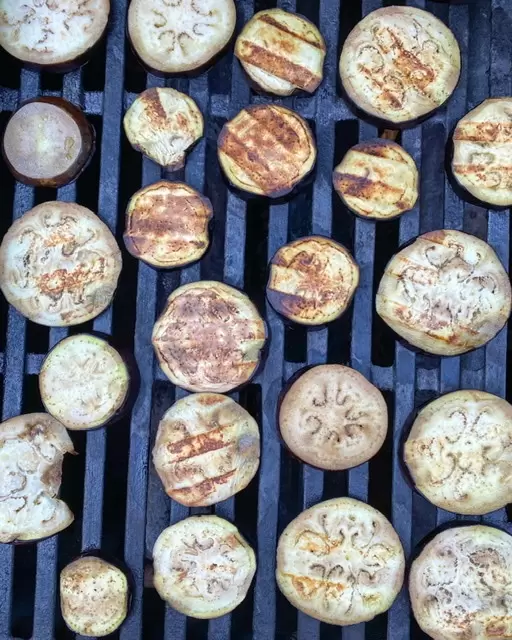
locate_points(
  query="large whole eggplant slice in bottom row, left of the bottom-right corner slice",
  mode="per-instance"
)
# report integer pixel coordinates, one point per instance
(340, 562)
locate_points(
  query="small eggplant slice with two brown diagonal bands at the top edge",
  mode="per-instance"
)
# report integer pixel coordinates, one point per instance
(281, 52)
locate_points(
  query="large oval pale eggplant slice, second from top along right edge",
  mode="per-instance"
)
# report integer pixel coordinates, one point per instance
(446, 293)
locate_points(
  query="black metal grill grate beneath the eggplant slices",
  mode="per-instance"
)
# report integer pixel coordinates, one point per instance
(118, 501)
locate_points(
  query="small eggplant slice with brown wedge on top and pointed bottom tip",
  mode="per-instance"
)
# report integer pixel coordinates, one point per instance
(163, 124)
